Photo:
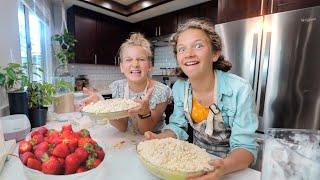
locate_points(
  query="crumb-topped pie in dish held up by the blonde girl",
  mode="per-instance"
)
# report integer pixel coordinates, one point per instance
(109, 109)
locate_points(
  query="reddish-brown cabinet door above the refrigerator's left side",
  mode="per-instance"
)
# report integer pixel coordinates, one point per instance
(231, 10)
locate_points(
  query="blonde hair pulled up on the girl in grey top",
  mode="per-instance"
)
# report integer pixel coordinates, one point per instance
(136, 39)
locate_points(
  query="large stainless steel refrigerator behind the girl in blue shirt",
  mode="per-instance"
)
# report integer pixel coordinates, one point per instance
(279, 54)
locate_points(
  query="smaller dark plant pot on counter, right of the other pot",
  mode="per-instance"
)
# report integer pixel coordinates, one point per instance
(38, 116)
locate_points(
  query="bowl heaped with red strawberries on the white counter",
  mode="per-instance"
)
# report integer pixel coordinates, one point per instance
(66, 154)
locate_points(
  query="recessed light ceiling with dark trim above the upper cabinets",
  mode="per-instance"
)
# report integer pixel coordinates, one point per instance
(162, 8)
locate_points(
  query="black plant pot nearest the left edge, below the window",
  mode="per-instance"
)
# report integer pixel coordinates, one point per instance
(18, 102)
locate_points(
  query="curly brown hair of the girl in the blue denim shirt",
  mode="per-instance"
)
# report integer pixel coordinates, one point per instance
(208, 28)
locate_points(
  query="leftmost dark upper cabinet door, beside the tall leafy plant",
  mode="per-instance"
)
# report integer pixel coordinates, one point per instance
(85, 34)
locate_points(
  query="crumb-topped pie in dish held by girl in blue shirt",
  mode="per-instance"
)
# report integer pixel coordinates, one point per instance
(171, 158)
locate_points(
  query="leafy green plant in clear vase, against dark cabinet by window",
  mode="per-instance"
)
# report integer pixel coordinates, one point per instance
(64, 52)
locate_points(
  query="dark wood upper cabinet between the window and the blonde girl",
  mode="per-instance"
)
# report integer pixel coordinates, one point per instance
(98, 36)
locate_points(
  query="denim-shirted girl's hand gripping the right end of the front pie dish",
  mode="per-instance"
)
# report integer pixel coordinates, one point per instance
(219, 171)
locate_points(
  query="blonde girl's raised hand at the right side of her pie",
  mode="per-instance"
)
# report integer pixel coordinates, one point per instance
(144, 108)
